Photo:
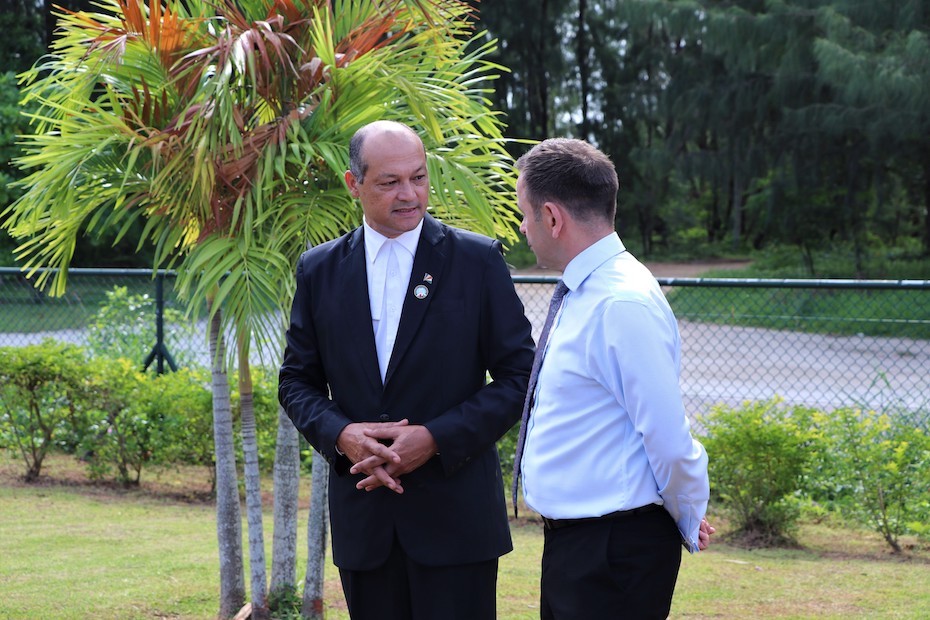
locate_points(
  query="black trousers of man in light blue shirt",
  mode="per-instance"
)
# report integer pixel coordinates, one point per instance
(611, 568)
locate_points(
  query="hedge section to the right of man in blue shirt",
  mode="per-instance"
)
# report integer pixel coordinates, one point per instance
(771, 463)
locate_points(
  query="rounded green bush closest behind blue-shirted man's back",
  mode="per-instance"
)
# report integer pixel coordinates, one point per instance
(758, 456)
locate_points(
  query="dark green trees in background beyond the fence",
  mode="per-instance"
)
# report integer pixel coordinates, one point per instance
(735, 126)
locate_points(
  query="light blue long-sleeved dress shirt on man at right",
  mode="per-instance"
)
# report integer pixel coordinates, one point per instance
(608, 430)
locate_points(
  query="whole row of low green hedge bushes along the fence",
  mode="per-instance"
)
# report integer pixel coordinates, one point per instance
(768, 462)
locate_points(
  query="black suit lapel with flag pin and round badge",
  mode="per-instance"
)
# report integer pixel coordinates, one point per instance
(427, 272)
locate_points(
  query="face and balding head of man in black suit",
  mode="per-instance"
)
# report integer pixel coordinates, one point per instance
(395, 191)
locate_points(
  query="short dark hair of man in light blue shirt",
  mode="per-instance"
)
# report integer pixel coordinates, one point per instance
(572, 173)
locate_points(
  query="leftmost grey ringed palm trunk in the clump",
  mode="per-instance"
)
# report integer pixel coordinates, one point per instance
(228, 515)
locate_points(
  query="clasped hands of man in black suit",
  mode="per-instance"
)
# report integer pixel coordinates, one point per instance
(385, 451)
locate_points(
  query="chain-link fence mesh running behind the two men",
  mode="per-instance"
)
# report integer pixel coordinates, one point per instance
(821, 343)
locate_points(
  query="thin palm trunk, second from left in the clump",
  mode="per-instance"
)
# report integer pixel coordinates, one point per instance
(253, 486)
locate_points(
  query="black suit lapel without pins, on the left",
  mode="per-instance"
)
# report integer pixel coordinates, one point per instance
(353, 305)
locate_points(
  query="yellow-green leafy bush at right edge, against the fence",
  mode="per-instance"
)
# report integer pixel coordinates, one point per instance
(875, 470)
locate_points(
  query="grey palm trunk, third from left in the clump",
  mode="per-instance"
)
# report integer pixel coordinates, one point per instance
(286, 488)
